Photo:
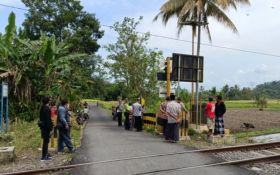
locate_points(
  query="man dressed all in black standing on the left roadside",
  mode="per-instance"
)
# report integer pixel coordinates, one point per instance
(46, 125)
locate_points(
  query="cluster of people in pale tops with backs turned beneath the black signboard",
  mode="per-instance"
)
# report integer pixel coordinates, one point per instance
(170, 116)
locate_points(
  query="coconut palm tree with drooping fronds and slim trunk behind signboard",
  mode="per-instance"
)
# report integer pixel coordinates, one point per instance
(196, 13)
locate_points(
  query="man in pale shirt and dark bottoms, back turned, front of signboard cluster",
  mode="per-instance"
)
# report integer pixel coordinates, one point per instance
(173, 111)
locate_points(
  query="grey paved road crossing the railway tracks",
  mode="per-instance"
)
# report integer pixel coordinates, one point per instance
(103, 140)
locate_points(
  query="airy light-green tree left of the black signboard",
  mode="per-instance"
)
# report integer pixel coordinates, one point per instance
(130, 61)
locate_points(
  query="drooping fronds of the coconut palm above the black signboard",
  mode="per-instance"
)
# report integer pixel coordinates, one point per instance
(188, 10)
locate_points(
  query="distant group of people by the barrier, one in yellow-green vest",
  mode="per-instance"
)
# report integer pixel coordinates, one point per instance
(133, 114)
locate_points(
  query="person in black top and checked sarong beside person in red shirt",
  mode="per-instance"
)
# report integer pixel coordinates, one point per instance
(220, 110)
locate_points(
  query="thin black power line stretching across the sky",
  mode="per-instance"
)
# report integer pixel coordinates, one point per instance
(180, 40)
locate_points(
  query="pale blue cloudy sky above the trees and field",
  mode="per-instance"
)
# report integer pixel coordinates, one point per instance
(258, 27)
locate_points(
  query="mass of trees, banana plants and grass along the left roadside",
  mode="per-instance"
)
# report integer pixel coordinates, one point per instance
(56, 60)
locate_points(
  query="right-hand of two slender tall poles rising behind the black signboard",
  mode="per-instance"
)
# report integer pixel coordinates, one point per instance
(198, 65)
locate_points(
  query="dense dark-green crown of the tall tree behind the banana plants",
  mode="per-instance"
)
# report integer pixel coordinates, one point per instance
(66, 20)
